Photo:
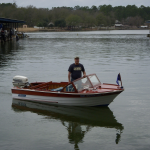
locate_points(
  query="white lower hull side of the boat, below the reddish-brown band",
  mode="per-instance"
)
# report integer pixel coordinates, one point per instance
(103, 100)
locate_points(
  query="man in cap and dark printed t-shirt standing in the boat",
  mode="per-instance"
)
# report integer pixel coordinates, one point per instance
(75, 70)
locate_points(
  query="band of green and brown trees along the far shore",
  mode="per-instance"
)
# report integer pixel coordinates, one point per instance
(103, 15)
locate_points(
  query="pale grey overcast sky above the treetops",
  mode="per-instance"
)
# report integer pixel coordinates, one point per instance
(72, 3)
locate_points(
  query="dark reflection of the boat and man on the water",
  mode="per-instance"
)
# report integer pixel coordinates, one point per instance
(77, 120)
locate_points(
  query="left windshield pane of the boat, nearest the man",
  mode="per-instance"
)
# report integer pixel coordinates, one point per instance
(82, 84)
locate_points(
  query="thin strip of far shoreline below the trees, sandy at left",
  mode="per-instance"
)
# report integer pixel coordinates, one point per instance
(65, 30)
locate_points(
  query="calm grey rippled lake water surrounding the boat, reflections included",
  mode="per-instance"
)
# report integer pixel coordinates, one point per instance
(46, 56)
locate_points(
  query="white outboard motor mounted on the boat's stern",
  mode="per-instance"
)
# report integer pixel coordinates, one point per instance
(20, 81)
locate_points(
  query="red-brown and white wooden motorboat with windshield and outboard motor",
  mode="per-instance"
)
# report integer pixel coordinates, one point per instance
(85, 91)
